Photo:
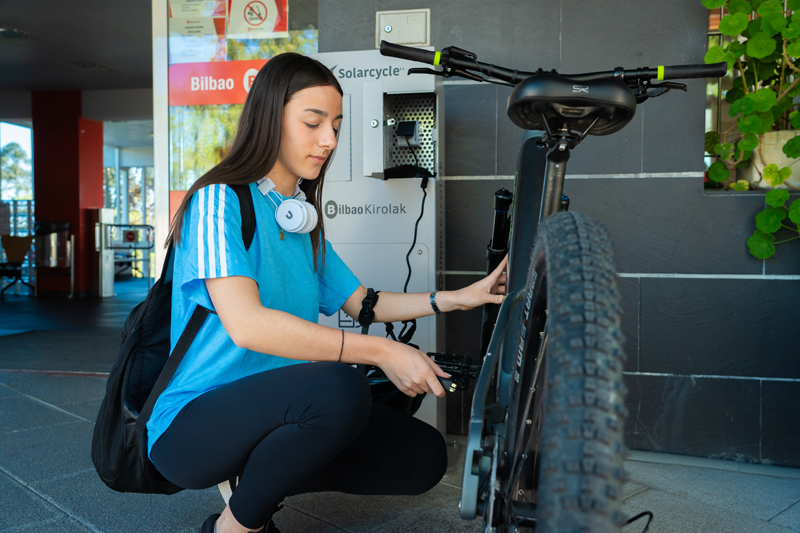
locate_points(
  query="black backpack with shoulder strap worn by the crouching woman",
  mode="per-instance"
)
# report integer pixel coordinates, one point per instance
(142, 371)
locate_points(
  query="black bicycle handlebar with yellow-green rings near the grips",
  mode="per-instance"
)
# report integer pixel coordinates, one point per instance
(452, 61)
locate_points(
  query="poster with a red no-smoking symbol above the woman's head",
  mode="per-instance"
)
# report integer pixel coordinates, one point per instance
(258, 19)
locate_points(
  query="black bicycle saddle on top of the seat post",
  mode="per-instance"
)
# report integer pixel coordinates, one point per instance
(577, 104)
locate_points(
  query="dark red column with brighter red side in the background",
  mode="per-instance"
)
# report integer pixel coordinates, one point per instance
(68, 181)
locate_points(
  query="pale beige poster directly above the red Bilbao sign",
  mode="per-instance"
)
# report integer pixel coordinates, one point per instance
(197, 31)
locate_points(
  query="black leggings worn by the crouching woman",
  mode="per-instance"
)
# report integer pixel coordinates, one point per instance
(302, 428)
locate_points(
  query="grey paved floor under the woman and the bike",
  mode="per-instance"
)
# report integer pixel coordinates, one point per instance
(48, 483)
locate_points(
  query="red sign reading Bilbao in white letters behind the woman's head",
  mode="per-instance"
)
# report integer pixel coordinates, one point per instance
(212, 83)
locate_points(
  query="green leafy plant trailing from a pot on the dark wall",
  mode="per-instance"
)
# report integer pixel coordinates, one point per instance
(764, 53)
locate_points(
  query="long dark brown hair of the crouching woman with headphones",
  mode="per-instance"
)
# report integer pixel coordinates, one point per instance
(258, 137)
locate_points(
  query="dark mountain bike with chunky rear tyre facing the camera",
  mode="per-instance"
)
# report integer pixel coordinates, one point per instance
(545, 446)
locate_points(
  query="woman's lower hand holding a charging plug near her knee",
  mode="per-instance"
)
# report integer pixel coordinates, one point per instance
(412, 371)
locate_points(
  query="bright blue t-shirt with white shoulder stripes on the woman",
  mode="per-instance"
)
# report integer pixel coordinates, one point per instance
(212, 247)
